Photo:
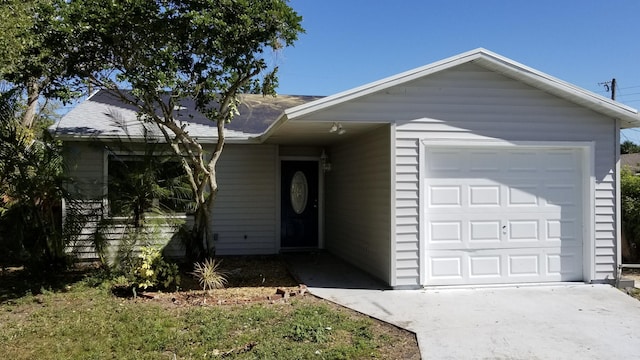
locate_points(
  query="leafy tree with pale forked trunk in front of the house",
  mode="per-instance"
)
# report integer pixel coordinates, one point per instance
(151, 54)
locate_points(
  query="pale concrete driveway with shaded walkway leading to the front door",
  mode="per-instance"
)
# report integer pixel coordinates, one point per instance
(575, 321)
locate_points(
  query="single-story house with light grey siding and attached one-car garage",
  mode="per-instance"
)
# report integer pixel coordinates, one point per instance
(472, 170)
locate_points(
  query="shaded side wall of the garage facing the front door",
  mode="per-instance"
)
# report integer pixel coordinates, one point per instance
(358, 202)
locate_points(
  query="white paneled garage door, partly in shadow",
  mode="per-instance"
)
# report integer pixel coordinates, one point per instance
(503, 215)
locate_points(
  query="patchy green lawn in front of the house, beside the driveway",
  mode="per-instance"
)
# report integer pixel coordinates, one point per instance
(77, 316)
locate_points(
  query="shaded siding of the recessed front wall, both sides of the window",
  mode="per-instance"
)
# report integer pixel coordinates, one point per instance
(245, 211)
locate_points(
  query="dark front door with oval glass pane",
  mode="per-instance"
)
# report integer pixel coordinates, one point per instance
(299, 204)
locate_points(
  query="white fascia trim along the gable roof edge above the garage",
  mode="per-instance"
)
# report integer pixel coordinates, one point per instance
(628, 116)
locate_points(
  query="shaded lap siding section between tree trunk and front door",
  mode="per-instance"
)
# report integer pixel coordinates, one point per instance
(245, 209)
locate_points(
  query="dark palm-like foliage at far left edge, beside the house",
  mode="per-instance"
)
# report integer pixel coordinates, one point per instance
(31, 188)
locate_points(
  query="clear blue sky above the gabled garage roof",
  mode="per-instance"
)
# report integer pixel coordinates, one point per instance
(349, 43)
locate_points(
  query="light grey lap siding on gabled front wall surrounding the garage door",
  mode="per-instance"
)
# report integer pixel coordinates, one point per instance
(472, 103)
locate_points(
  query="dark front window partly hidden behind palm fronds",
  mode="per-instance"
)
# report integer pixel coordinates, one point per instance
(147, 184)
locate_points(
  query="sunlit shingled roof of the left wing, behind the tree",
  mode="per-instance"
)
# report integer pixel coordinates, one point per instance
(104, 116)
